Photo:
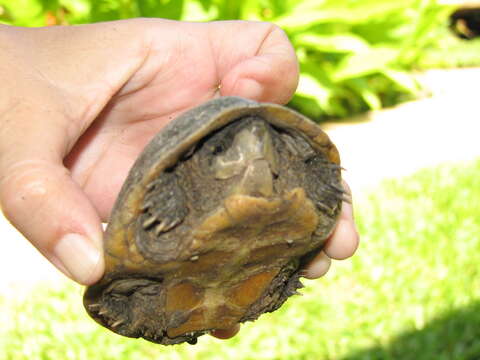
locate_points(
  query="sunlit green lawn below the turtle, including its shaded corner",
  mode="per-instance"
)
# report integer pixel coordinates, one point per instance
(411, 292)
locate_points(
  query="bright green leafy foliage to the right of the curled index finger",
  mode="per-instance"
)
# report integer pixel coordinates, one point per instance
(354, 54)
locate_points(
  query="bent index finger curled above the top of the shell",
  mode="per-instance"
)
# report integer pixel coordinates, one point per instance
(261, 64)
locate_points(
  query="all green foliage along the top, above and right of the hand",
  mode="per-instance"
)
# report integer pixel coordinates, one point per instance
(353, 54)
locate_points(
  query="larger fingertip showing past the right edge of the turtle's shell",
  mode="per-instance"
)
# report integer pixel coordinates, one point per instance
(345, 239)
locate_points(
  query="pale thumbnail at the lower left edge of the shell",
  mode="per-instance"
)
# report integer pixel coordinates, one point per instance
(78, 255)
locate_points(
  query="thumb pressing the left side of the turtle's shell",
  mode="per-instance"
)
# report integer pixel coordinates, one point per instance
(49, 209)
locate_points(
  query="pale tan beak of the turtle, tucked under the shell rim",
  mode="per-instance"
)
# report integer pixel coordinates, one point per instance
(252, 155)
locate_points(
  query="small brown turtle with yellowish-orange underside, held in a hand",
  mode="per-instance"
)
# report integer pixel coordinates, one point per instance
(216, 221)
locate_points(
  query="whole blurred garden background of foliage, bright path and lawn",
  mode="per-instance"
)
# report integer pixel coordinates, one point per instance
(396, 85)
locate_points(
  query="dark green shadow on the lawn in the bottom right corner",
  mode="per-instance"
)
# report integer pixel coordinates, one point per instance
(453, 336)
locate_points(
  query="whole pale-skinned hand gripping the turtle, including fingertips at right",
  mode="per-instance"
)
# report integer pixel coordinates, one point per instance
(78, 104)
